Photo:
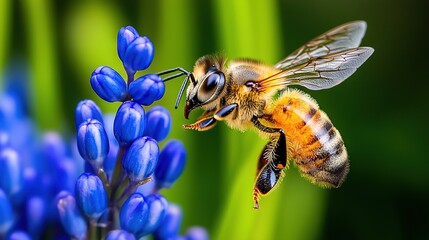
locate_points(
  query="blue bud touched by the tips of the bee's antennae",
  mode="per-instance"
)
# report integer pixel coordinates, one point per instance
(147, 89)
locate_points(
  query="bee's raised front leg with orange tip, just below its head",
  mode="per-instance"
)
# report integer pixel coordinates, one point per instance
(206, 123)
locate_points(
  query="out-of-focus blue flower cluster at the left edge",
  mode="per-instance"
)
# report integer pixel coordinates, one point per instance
(33, 168)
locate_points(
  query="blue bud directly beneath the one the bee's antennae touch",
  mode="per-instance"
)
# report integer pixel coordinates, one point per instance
(158, 123)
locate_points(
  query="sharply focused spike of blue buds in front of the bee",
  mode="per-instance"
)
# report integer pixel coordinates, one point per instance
(118, 195)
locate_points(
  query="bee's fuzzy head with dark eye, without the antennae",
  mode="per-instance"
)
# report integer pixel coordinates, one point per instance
(208, 85)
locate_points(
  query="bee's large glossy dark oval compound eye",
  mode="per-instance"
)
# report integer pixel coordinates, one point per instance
(211, 87)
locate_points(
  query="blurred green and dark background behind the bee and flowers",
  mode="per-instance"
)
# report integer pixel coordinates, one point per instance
(381, 111)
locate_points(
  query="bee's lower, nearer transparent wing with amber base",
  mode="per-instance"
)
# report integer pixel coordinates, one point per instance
(319, 73)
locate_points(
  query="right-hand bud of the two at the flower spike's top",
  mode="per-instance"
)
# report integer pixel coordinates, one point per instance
(139, 54)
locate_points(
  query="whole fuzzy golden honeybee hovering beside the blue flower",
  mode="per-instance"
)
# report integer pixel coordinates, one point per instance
(248, 94)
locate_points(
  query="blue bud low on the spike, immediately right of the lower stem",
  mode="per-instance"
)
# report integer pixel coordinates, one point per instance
(133, 214)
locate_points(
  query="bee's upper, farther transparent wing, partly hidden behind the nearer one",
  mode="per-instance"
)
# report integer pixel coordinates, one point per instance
(341, 38)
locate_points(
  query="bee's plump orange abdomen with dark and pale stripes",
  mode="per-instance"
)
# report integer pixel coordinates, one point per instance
(313, 142)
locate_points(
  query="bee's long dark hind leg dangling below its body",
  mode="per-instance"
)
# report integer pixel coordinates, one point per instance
(272, 161)
